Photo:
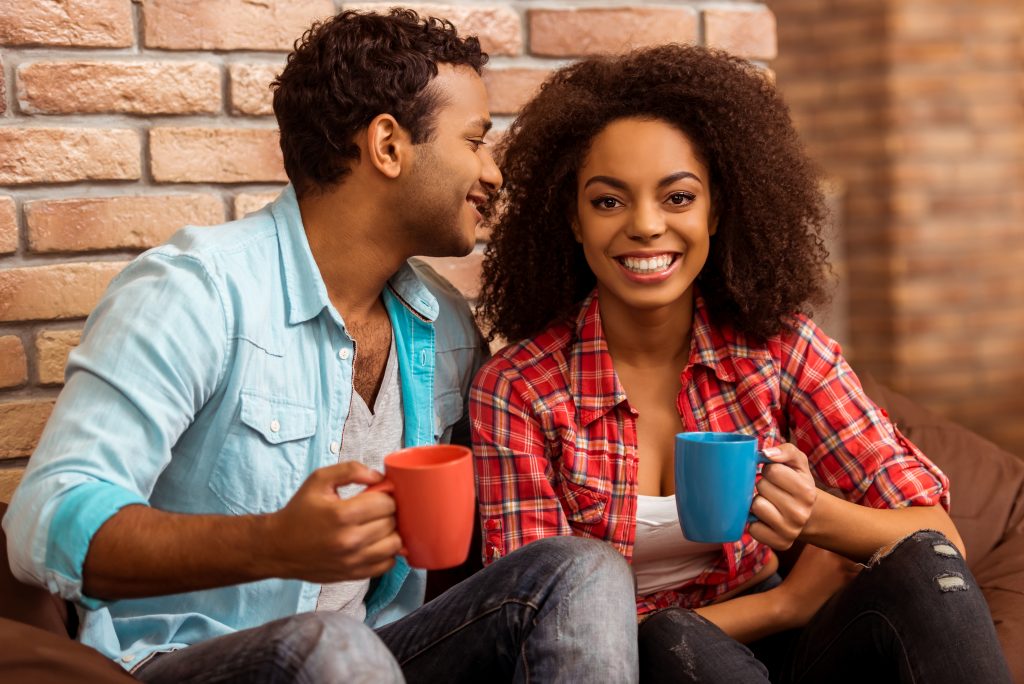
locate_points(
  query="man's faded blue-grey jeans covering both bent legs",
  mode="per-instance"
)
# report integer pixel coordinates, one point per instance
(560, 610)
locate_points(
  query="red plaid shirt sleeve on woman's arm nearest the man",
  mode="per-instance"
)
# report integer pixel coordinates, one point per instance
(518, 502)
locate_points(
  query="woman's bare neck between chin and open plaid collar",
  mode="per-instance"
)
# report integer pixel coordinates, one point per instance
(645, 338)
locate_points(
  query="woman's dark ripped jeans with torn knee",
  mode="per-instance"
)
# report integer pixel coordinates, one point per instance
(917, 615)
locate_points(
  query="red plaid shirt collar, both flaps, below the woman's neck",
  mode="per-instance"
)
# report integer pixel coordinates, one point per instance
(595, 386)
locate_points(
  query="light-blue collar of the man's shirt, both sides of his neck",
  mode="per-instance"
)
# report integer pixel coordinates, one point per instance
(305, 289)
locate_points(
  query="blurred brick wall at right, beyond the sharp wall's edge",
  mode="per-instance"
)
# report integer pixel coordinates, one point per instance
(919, 109)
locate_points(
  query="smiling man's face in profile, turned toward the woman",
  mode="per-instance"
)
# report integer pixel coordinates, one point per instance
(453, 174)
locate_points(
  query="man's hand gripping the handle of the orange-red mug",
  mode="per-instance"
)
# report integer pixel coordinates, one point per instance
(321, 538)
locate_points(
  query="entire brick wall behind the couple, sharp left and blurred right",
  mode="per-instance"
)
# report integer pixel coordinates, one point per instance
(122, 121)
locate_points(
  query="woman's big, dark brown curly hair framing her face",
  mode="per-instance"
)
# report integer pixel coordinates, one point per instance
(767, 260)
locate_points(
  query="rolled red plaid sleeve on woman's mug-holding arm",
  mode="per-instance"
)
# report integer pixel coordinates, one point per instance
(850, 443)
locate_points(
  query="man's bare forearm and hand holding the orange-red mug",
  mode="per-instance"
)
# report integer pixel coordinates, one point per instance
(318, 537)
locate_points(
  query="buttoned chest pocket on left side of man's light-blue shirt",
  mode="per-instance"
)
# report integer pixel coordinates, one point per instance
(265, 456)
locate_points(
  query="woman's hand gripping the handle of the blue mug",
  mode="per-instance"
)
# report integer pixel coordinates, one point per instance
(786, 498)
